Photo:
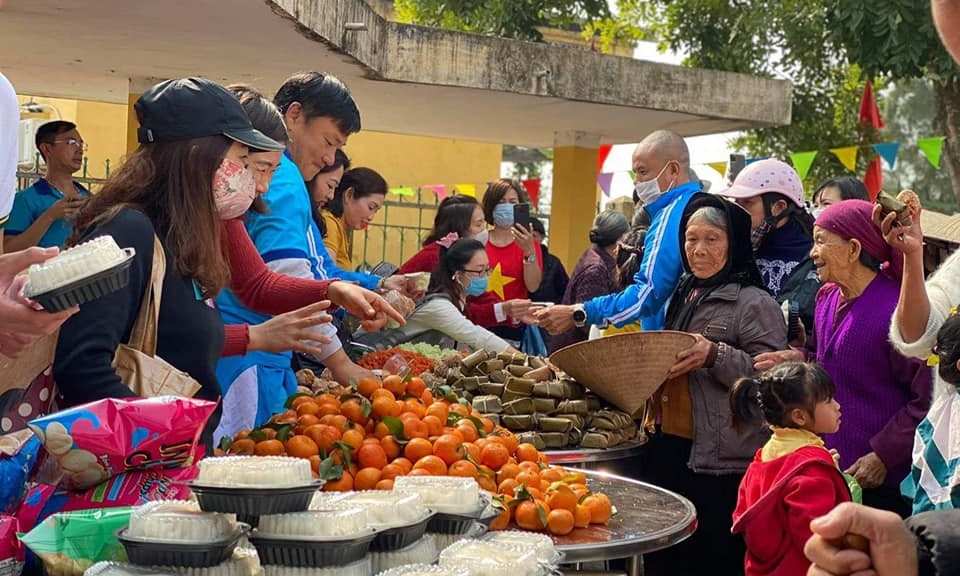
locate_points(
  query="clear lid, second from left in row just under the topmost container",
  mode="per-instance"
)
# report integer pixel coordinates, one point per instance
(316, 524)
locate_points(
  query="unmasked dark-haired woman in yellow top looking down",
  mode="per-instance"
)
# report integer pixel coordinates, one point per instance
(355, 203)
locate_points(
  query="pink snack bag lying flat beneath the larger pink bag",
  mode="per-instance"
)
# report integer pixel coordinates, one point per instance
(129, 489)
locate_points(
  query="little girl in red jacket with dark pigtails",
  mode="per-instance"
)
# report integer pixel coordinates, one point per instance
(793, 478)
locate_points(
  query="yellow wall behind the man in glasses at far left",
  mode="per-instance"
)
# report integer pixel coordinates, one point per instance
(102, 126)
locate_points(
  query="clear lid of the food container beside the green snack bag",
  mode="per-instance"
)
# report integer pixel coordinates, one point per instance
(178, 521)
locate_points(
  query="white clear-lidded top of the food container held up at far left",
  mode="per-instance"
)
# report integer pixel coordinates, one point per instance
(81, 261)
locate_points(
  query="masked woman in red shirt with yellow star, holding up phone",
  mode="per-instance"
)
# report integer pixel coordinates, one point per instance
(515, 260)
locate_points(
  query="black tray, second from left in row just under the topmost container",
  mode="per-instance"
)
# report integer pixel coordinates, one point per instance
(274, 550)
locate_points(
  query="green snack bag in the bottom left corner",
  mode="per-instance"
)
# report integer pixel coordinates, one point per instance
(69, 543)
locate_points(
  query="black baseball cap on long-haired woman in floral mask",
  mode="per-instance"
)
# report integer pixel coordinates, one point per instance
(186, 108)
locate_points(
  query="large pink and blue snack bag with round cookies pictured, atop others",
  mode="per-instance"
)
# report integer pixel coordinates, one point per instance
(99, 440)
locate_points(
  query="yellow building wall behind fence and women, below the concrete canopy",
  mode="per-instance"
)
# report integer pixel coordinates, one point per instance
(413, 162)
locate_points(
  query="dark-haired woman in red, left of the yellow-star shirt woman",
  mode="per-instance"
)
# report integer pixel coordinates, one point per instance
(460, 215)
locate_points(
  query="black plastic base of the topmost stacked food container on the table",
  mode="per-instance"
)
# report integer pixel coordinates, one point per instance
(251, 502)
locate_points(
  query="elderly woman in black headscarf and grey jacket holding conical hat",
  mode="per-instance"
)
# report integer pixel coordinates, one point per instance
(693, 448)
